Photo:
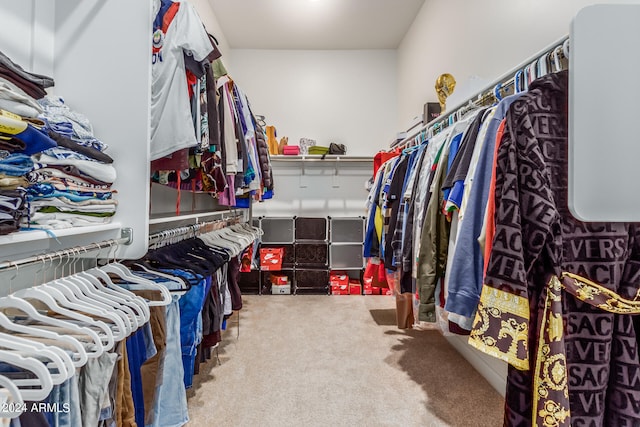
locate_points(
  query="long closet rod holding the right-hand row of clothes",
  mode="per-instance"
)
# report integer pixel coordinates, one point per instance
(506, 80)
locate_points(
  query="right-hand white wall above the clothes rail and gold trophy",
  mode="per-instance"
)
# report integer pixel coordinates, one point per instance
(484, 38)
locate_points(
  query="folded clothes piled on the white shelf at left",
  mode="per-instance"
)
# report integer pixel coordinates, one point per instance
(53, 173)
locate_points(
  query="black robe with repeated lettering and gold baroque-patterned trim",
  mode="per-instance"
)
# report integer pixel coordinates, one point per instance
(557, 289)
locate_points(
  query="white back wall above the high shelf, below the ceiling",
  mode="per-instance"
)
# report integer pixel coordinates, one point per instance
(344, 96)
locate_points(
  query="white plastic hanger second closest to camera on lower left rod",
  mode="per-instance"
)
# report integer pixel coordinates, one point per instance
(43, 378)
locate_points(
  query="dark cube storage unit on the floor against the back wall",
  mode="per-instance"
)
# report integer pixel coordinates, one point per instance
(313, 246)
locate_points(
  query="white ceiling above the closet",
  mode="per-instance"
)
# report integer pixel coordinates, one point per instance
(315, 24)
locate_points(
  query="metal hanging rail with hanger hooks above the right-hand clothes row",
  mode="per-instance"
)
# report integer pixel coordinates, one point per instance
(505, 82)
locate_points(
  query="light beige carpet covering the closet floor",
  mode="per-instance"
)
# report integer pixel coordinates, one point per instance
(337, 361)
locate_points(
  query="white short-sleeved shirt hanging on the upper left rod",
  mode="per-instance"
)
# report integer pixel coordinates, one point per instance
(171, 123)
